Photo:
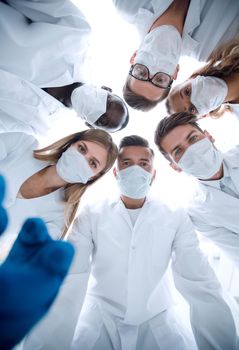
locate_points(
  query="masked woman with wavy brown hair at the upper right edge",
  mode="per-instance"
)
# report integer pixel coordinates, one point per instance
(213, 89)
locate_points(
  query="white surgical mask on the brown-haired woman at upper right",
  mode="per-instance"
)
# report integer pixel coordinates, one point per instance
(208, 93)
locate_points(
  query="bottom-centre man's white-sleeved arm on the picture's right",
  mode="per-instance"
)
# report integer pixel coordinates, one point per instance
(210, 316)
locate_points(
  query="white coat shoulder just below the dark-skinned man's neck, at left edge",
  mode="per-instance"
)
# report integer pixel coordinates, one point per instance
(24, 107)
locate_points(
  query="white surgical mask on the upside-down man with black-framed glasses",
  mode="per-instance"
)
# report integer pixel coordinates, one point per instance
(160, 50)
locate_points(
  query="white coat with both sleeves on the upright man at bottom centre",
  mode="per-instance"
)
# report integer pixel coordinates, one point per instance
(127, 288)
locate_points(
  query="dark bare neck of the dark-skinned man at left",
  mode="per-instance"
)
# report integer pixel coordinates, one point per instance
(63, 93)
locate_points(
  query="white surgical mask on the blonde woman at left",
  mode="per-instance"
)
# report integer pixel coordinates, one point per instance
(72, 167)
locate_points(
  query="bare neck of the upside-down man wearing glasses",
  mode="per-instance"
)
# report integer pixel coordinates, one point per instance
(175, 15)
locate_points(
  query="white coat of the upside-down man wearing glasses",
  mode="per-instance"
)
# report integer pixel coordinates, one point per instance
(208, 24)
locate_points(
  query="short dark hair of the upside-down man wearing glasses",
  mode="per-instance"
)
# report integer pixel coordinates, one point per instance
(139, 102)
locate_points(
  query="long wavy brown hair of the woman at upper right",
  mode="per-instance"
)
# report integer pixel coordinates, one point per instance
(223, 62)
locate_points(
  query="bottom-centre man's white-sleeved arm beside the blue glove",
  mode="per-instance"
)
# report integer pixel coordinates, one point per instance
(58, 327)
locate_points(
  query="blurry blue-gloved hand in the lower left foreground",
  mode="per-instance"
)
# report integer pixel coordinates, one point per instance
(30, 277)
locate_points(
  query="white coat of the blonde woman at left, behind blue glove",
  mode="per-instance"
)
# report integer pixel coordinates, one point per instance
(16, 165)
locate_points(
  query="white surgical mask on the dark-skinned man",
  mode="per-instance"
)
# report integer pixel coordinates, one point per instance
(89, 102)
